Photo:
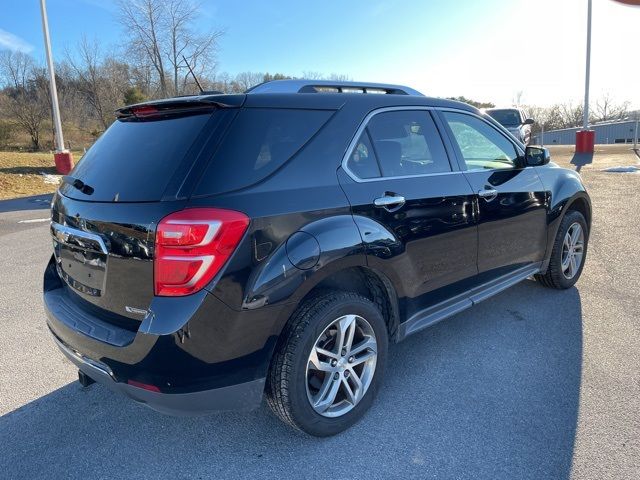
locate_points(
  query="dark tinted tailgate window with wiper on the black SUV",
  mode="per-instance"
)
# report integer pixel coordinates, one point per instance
(134, 160)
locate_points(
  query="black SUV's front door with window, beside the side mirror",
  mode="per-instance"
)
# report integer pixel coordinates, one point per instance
(511, 200)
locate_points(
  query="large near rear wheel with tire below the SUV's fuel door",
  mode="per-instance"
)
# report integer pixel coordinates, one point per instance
(329, 363)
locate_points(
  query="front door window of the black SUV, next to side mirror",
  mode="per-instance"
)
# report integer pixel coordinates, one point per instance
(481, 146)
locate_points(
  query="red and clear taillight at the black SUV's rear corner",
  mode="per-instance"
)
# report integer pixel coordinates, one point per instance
(191, 247)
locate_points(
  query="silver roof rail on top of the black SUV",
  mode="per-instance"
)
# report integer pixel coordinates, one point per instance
(329, 86)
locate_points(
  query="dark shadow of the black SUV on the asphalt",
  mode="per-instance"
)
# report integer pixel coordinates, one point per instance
(490, 393)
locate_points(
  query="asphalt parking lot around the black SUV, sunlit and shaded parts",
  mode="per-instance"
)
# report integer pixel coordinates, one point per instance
(533, 383)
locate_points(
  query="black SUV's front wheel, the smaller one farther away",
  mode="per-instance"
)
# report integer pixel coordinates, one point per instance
(562, 273)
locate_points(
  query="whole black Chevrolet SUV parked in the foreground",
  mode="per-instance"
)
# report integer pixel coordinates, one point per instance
(209, 249)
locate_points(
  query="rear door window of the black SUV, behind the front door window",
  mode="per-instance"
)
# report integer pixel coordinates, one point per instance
(398, 144)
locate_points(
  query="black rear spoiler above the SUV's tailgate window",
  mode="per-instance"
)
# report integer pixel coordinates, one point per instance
(180, 105)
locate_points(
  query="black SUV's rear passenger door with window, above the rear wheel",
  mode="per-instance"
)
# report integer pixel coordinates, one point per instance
(412, 205)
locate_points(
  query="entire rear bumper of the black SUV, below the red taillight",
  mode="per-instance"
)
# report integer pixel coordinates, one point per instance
(196, 354)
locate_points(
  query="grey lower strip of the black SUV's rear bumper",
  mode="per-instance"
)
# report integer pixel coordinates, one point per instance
(242, 397)
